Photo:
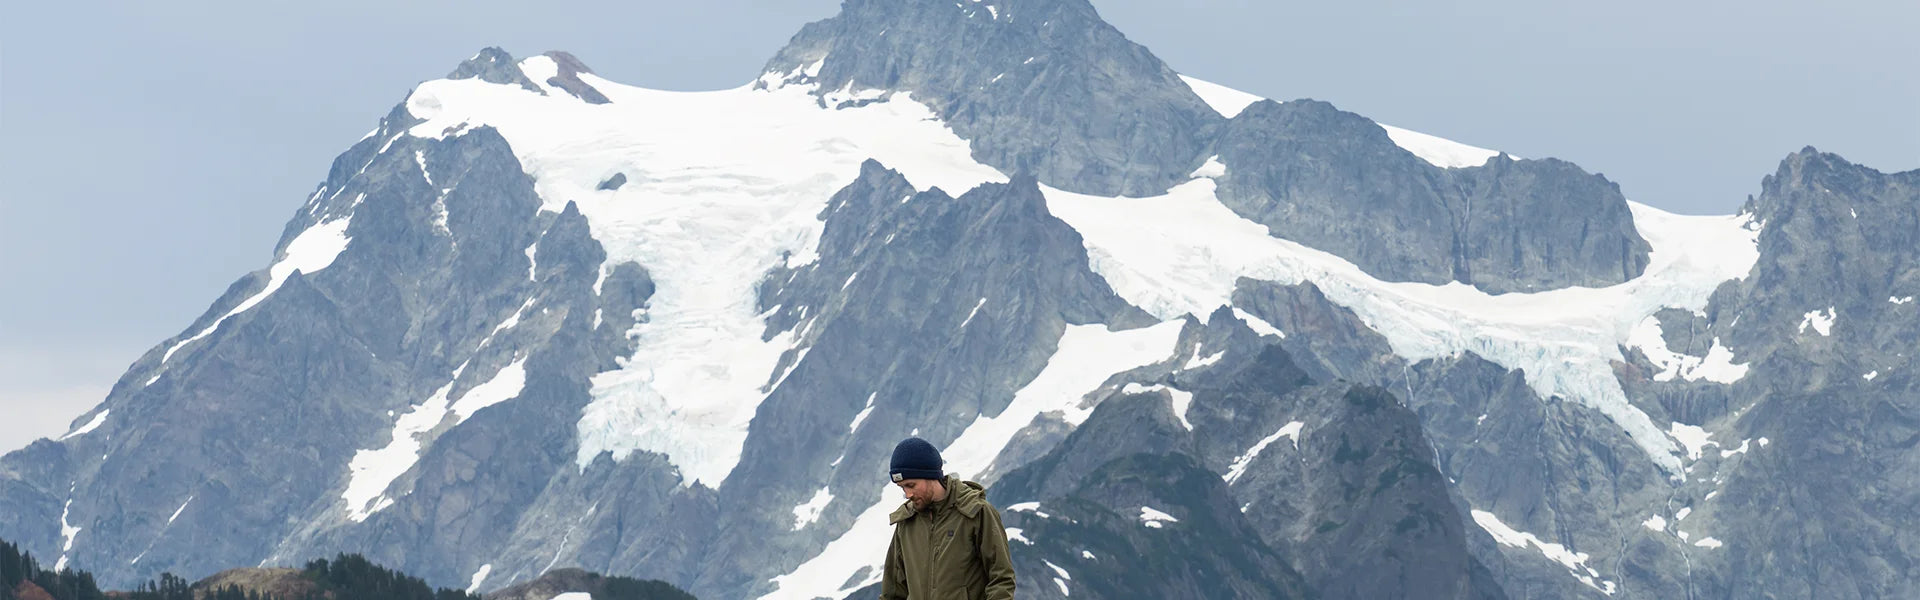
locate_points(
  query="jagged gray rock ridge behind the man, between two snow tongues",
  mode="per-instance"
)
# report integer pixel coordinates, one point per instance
(921, 307)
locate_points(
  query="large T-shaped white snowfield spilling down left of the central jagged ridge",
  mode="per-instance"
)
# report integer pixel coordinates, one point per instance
(721, 186)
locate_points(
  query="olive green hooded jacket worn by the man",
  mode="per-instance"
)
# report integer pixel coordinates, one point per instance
(953, 549)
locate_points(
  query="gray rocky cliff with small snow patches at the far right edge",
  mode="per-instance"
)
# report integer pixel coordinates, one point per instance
(1825, 509)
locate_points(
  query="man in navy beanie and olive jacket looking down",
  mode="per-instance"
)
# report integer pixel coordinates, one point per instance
(948, 541)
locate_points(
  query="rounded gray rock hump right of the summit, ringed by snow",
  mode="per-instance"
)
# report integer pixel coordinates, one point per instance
(1335, 182)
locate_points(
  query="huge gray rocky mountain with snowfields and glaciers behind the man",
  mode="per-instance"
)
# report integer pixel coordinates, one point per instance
(1197, 343)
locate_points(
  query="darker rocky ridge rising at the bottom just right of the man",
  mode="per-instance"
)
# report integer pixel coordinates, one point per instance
(1351, 491)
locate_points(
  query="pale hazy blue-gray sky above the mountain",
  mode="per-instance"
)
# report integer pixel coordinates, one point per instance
(151, 153)
